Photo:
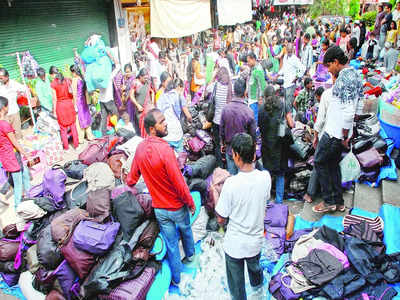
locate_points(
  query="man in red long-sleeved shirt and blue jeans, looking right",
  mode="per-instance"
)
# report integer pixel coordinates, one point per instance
(156, 162)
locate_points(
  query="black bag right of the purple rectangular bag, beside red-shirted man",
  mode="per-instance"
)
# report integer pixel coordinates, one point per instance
(129, 213)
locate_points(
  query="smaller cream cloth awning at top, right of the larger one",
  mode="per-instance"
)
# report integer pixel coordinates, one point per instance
(231, 12)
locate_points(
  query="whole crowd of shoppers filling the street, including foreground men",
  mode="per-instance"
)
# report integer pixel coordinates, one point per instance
(260, 80)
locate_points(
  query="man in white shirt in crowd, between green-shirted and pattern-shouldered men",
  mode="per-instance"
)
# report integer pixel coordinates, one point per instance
(292, 69)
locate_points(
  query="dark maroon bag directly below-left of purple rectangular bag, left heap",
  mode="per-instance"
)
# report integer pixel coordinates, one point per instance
(80, 261)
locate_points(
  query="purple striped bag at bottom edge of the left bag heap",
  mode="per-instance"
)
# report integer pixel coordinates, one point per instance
(132, 289)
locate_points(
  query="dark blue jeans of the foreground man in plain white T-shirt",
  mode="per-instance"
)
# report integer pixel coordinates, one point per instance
(235, 275)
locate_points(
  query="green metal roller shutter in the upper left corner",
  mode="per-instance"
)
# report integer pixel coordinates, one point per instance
(49, 30)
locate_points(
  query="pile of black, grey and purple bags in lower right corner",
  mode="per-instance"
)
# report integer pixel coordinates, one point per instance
(330, 264)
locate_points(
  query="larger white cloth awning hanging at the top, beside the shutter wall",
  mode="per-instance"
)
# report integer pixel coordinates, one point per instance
(179, 18)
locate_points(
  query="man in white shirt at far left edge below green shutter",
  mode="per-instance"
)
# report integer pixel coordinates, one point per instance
(9, 89)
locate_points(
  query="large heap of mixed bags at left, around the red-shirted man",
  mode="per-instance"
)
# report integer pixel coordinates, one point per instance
(83, 234)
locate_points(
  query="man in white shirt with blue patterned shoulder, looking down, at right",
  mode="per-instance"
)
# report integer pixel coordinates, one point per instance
(346, 94)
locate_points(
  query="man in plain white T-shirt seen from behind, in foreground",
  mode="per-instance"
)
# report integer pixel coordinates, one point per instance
(242, 203)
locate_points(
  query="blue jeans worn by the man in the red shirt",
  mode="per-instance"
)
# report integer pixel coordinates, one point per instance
(171, 224)
